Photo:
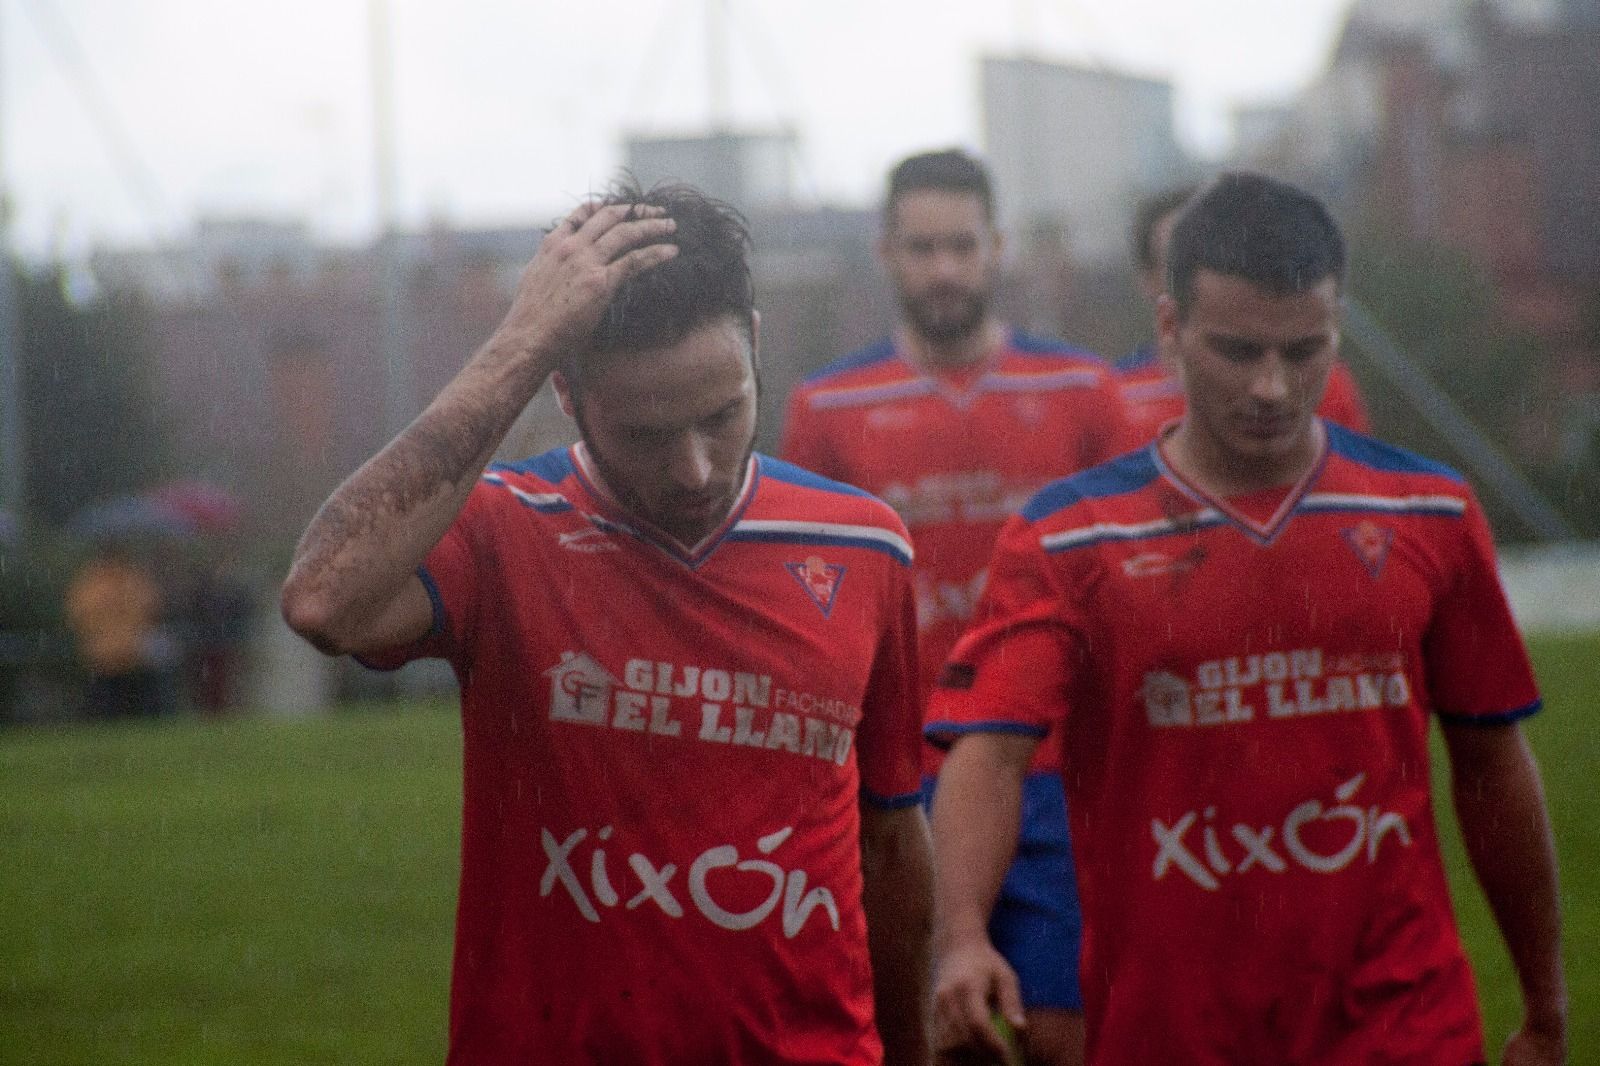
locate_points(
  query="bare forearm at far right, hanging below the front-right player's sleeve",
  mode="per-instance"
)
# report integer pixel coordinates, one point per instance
(1506, 830)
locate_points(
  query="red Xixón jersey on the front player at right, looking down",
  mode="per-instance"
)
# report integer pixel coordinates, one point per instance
(1246, 694)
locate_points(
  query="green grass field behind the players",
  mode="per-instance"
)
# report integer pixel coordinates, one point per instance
(282, 891)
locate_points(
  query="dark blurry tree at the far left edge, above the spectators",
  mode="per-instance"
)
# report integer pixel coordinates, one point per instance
(89, 417)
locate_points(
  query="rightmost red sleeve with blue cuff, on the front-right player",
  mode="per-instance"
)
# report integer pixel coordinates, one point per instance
(1478, 667)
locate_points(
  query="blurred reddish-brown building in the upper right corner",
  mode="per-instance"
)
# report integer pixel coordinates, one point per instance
(1471, 124)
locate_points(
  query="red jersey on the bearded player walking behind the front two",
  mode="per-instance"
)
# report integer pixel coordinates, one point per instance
(956, 457)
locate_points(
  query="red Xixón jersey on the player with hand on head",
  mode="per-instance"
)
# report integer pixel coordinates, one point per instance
(665, 756)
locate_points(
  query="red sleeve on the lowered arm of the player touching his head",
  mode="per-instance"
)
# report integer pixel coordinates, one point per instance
(889, 743)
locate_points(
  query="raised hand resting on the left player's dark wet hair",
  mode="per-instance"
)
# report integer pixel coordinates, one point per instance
(578, 268)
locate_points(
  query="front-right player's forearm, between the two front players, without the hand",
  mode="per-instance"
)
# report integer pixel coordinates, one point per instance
(977, 811)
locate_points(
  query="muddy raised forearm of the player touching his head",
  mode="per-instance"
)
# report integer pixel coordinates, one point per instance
(378, 527)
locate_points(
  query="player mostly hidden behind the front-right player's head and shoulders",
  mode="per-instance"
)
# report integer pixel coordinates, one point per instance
(1151, 393)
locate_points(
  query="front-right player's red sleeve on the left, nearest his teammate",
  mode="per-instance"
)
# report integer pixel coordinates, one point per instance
(1010, 671)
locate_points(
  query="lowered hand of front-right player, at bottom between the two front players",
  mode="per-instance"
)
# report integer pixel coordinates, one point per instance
(975, 985)
